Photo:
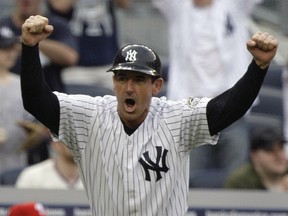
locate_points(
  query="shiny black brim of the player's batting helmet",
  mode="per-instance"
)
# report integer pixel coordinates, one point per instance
(129, 66)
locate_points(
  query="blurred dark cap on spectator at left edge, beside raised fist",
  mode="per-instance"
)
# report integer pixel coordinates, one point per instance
(7, 38)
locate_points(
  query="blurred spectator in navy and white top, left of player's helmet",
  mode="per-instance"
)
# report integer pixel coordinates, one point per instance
(94, 23)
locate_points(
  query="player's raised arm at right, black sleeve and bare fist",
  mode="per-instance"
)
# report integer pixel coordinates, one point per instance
(228, 107)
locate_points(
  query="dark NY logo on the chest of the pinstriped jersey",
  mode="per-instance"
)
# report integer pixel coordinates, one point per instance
(148, 164)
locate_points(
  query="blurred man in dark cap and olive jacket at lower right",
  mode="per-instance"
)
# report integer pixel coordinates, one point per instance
(268, 166)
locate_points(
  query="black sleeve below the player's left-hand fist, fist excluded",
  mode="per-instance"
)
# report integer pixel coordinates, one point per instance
(38, 99)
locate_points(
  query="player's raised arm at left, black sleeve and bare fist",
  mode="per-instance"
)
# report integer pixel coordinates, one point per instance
(38, 99)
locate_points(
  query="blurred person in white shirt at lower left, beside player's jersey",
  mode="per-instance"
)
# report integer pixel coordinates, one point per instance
(58, 172)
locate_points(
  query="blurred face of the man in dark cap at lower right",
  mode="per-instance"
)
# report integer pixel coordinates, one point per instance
(272, 162)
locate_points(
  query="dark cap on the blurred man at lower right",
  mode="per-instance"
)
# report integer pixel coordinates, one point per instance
(266, 138)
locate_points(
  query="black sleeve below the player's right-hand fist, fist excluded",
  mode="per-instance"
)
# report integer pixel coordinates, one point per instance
(231, 105)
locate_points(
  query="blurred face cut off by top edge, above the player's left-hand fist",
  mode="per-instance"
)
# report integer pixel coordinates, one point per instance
(26, 8)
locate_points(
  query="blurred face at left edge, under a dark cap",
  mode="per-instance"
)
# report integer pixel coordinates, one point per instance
(8, 56)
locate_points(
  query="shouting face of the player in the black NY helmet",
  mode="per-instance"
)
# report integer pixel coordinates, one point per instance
(134, 91)
